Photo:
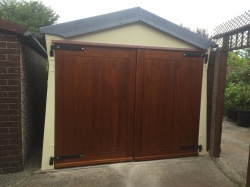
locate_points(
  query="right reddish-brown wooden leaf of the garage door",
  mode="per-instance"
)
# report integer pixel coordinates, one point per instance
(168, 94)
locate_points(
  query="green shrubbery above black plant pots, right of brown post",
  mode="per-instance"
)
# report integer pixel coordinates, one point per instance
(237, 91)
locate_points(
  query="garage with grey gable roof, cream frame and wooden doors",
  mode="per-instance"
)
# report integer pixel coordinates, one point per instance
(124, 86)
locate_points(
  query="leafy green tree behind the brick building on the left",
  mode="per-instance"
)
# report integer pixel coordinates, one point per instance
(32, 14)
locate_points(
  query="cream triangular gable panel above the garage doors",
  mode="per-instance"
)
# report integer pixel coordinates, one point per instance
(134, 34)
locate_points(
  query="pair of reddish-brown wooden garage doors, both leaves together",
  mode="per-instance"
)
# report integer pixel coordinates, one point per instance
(115, 105)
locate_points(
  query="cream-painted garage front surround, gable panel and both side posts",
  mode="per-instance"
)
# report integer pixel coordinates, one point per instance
(138, 34)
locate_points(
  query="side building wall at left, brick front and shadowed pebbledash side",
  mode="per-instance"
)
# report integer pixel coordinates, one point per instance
(23, 87)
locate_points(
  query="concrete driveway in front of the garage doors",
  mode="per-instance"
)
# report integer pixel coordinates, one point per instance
(227, 171)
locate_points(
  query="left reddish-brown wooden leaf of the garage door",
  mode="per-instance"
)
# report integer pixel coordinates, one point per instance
(95, 91)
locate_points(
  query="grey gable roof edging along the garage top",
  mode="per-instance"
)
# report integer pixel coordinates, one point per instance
(119, 18)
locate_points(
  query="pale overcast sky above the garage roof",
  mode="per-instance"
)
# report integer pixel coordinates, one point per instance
(190, 13)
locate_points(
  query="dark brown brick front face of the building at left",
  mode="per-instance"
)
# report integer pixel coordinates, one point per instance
(10, 104)
